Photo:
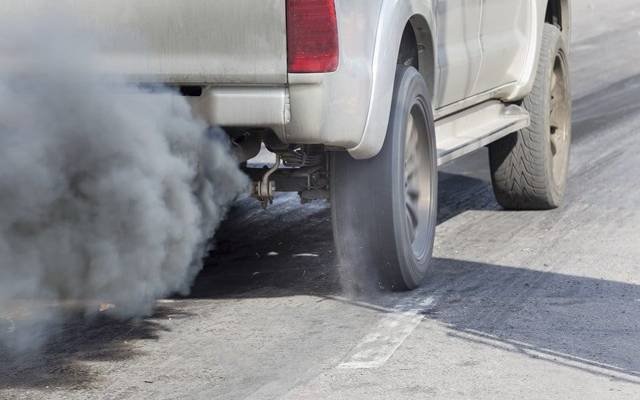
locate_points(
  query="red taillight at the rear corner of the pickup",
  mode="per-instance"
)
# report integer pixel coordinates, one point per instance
(312, 35)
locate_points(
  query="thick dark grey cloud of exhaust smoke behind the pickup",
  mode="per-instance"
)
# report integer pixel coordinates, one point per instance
(108, 192)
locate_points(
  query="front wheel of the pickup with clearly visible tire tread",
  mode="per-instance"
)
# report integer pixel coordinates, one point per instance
(529, 167)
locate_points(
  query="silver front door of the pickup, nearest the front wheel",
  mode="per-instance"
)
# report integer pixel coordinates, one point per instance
(504, 35)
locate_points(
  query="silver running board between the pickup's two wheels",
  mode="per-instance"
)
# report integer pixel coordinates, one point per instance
(469, 130)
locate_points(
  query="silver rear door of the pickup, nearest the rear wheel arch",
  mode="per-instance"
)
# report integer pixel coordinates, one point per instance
(459, 50)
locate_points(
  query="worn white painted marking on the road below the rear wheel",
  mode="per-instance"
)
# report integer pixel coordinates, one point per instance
(375, 349)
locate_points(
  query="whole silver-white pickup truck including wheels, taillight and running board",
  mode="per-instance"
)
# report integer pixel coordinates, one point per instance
(363, 100)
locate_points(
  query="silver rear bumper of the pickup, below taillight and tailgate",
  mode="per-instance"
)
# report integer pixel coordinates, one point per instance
(328, 109)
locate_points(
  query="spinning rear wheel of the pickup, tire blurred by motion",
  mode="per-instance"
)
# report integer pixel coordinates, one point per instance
(377, 239)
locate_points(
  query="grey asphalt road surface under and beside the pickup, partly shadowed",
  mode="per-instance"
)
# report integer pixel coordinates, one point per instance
(527, 305)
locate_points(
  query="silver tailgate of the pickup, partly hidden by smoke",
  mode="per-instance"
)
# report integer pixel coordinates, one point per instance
(185, 41)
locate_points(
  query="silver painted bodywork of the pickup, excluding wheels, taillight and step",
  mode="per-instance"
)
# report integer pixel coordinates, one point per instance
(471, 51)
